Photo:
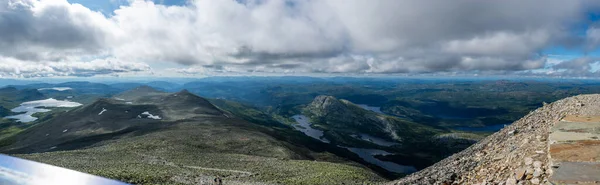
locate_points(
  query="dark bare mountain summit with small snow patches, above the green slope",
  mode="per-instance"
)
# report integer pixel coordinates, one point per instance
(112, 117)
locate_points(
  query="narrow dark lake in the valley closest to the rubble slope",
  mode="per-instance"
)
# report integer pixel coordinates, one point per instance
(369, 156)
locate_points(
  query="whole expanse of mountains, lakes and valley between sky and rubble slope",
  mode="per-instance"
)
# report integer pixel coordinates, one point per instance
(280, 132)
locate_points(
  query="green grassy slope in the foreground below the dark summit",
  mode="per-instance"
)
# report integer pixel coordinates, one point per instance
(195, 152)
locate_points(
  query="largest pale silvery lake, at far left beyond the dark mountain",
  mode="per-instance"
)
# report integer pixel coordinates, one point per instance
(29, 108)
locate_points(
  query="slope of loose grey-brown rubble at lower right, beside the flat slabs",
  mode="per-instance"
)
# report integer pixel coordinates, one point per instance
(517, 154)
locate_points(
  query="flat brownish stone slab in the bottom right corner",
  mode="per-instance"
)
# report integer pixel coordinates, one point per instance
(576, 173)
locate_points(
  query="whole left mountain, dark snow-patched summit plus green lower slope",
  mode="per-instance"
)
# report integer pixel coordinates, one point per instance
(191, 142)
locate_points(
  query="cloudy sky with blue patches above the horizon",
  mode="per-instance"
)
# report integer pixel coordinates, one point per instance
(198, 38)
